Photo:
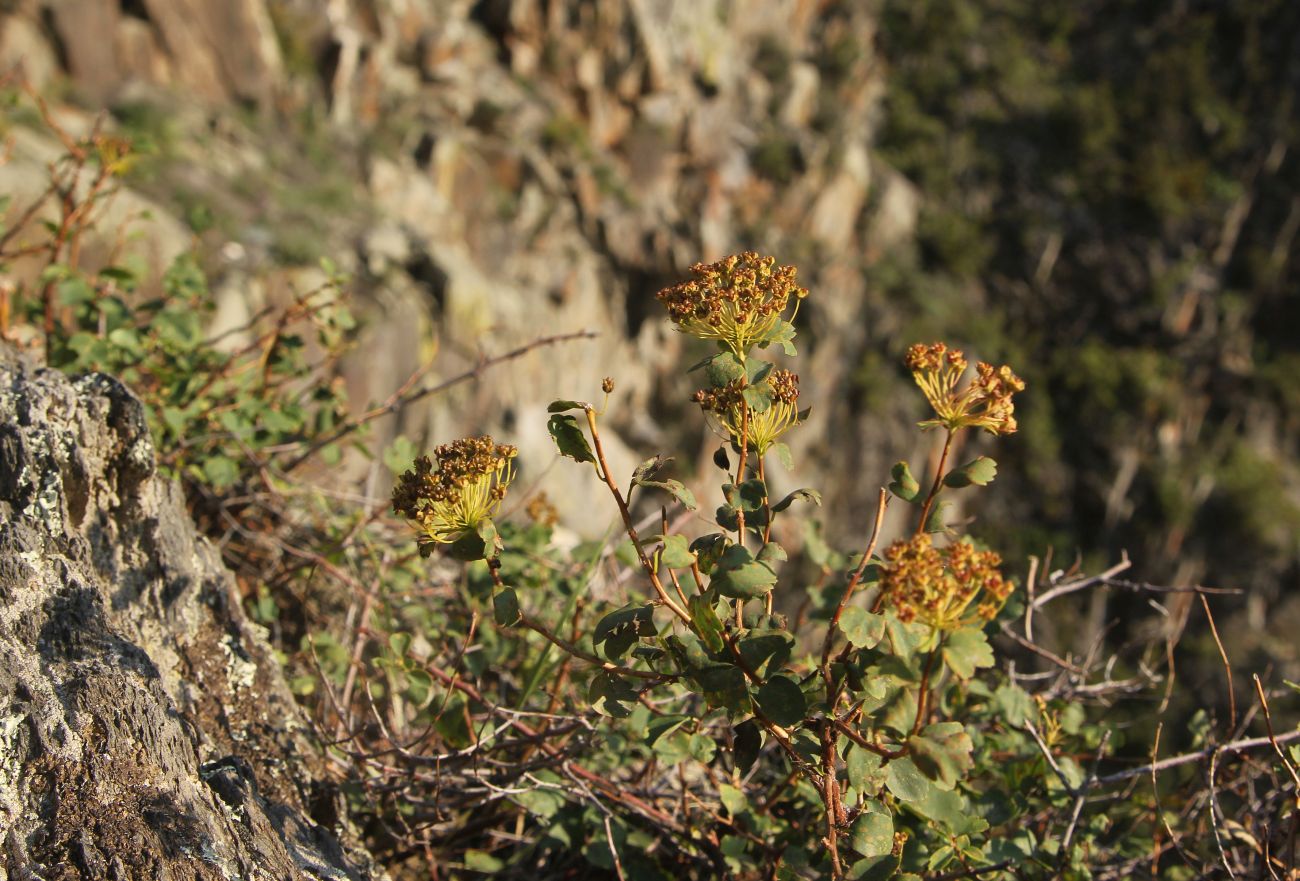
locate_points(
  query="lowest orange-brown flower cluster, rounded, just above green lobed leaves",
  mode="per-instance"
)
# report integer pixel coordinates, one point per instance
(938, 587)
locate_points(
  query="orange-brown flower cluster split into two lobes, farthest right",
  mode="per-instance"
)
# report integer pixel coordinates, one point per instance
(986, 403)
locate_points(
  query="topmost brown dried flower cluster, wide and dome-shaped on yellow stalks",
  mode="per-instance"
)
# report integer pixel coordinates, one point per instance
(736, 302)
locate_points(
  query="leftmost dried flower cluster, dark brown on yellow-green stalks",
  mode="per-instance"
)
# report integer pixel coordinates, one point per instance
(466, 489)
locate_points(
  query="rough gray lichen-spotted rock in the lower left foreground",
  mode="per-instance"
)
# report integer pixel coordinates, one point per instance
(145, 730)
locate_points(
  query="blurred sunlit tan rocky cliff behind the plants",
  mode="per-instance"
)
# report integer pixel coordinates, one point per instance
(496, 171)
